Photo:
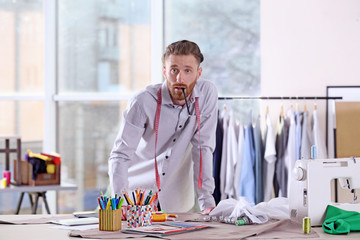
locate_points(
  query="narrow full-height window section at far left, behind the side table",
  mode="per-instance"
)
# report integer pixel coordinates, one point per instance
(21, 81)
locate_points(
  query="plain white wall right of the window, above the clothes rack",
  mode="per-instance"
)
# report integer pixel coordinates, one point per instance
(307, 46)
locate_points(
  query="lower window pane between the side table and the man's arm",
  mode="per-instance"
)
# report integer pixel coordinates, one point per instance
(87, 134)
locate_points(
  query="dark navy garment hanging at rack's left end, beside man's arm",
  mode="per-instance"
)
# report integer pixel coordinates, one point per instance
(217, 160)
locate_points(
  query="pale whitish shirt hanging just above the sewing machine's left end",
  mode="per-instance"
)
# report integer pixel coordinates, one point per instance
(290, 152)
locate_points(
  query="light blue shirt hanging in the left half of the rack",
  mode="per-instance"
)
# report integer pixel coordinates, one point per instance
(247, 176)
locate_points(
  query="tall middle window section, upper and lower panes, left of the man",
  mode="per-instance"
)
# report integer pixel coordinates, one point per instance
(103, 49)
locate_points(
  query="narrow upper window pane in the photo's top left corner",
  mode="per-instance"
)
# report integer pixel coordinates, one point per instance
(21, 46)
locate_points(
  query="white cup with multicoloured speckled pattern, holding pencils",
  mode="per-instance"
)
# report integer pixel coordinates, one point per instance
(139, 216)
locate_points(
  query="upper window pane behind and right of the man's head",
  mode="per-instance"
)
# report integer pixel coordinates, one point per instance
(229, 37)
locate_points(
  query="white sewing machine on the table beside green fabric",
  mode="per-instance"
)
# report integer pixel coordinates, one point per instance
(311, 190)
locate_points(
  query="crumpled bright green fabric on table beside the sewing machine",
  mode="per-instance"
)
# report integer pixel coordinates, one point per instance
(338, 221)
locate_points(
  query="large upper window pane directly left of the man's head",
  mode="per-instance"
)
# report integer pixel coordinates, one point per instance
(104, 46)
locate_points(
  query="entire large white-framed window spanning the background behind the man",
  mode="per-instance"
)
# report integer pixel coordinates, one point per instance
(104, 54)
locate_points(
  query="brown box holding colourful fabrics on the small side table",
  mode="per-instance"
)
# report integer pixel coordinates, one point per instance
(42, 178)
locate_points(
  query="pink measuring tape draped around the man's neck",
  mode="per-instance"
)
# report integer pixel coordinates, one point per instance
(157, 120)
